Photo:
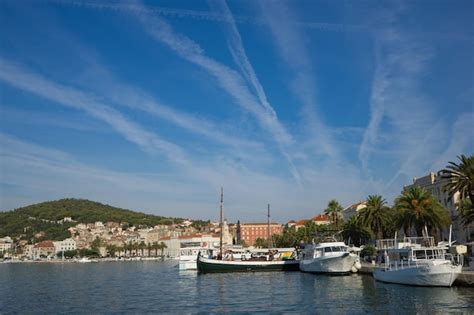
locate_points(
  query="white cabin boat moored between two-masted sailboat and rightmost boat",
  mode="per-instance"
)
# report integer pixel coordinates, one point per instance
(329, 257)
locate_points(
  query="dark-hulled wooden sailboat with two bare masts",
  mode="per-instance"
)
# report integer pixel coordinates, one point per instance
(272, 259)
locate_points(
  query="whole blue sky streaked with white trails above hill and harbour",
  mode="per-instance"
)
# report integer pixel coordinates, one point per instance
(154, 106)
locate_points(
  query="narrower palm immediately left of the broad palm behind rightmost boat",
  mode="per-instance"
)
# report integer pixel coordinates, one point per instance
(376, 215)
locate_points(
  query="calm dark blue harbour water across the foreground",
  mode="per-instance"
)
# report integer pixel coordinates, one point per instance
(159, 287)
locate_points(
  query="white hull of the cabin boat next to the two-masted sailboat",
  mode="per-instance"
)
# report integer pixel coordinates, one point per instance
(333, 264)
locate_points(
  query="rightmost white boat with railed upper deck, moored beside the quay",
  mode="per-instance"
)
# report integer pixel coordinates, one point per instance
(417, 261)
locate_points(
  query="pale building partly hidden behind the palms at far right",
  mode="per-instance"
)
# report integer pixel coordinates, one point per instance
(434, 184)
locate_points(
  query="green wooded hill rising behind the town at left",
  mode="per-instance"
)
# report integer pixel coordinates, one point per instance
(26, 222)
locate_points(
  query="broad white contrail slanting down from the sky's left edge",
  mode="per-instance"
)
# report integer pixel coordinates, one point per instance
(22, 78)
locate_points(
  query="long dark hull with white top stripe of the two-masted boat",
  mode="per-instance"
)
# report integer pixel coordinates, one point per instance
(205, 265)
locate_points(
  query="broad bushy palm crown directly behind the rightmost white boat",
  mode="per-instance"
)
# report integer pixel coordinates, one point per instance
(417, 208)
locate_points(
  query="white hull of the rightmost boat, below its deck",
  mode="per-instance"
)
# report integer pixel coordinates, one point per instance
(430, 275)
